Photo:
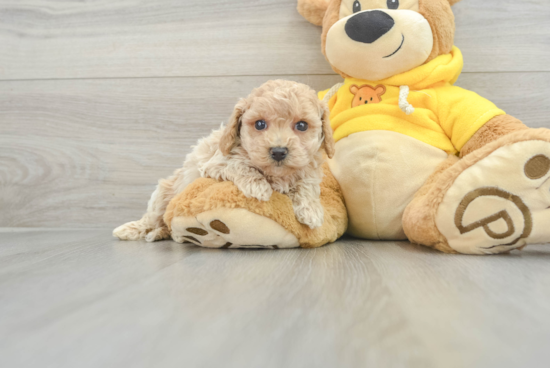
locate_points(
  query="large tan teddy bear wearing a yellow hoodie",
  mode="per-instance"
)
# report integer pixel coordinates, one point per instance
(426, 161)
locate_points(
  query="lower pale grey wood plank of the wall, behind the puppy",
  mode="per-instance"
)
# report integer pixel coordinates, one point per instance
(88, 153)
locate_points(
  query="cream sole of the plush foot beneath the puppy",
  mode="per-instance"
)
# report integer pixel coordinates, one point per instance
(231, 228)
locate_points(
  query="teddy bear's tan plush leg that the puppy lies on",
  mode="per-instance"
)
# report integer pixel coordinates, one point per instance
(216, 215)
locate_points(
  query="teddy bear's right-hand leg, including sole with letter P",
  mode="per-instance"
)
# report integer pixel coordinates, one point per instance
(494, 200)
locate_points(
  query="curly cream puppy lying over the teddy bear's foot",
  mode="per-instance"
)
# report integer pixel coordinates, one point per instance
(274, 140)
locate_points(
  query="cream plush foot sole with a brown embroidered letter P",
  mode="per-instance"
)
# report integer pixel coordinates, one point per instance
(500, 203)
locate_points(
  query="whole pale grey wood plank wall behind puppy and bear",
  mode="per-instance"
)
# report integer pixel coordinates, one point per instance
(99, 99)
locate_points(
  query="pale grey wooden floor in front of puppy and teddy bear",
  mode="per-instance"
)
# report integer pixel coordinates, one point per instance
(82, 299)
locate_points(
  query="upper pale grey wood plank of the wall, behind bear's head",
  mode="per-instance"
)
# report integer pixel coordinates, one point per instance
(44, 39)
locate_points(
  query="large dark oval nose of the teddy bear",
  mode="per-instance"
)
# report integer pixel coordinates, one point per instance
(369, 26)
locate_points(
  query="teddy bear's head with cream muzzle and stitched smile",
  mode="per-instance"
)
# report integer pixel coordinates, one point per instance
(376, 39)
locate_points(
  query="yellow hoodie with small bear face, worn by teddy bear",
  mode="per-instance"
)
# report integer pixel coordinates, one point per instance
(445, 116)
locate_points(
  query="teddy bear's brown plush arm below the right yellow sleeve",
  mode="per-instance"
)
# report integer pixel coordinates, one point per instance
(495, 128)
